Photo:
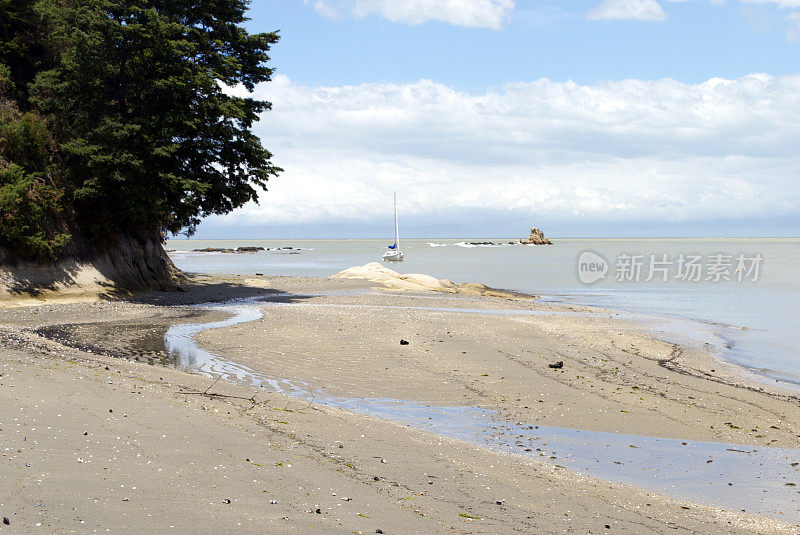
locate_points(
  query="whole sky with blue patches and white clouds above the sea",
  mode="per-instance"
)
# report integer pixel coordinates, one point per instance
(587, 118)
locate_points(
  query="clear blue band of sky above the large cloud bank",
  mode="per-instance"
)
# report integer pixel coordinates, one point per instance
(541, 39)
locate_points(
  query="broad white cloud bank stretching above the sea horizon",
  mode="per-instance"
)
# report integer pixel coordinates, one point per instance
(633, 149)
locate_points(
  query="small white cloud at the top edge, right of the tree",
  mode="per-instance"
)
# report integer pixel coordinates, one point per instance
(468, 13)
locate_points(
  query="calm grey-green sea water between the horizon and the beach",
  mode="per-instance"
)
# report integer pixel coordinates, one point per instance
(757, 320)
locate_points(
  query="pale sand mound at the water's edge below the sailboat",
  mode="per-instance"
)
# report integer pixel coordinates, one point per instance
(417, 282)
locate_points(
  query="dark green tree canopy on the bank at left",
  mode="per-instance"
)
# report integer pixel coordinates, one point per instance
(114, 118)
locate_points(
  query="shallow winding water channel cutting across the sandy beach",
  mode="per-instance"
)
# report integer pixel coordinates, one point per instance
(757, 480)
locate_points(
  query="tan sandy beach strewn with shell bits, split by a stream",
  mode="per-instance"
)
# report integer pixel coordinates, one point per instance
(98, 432)
